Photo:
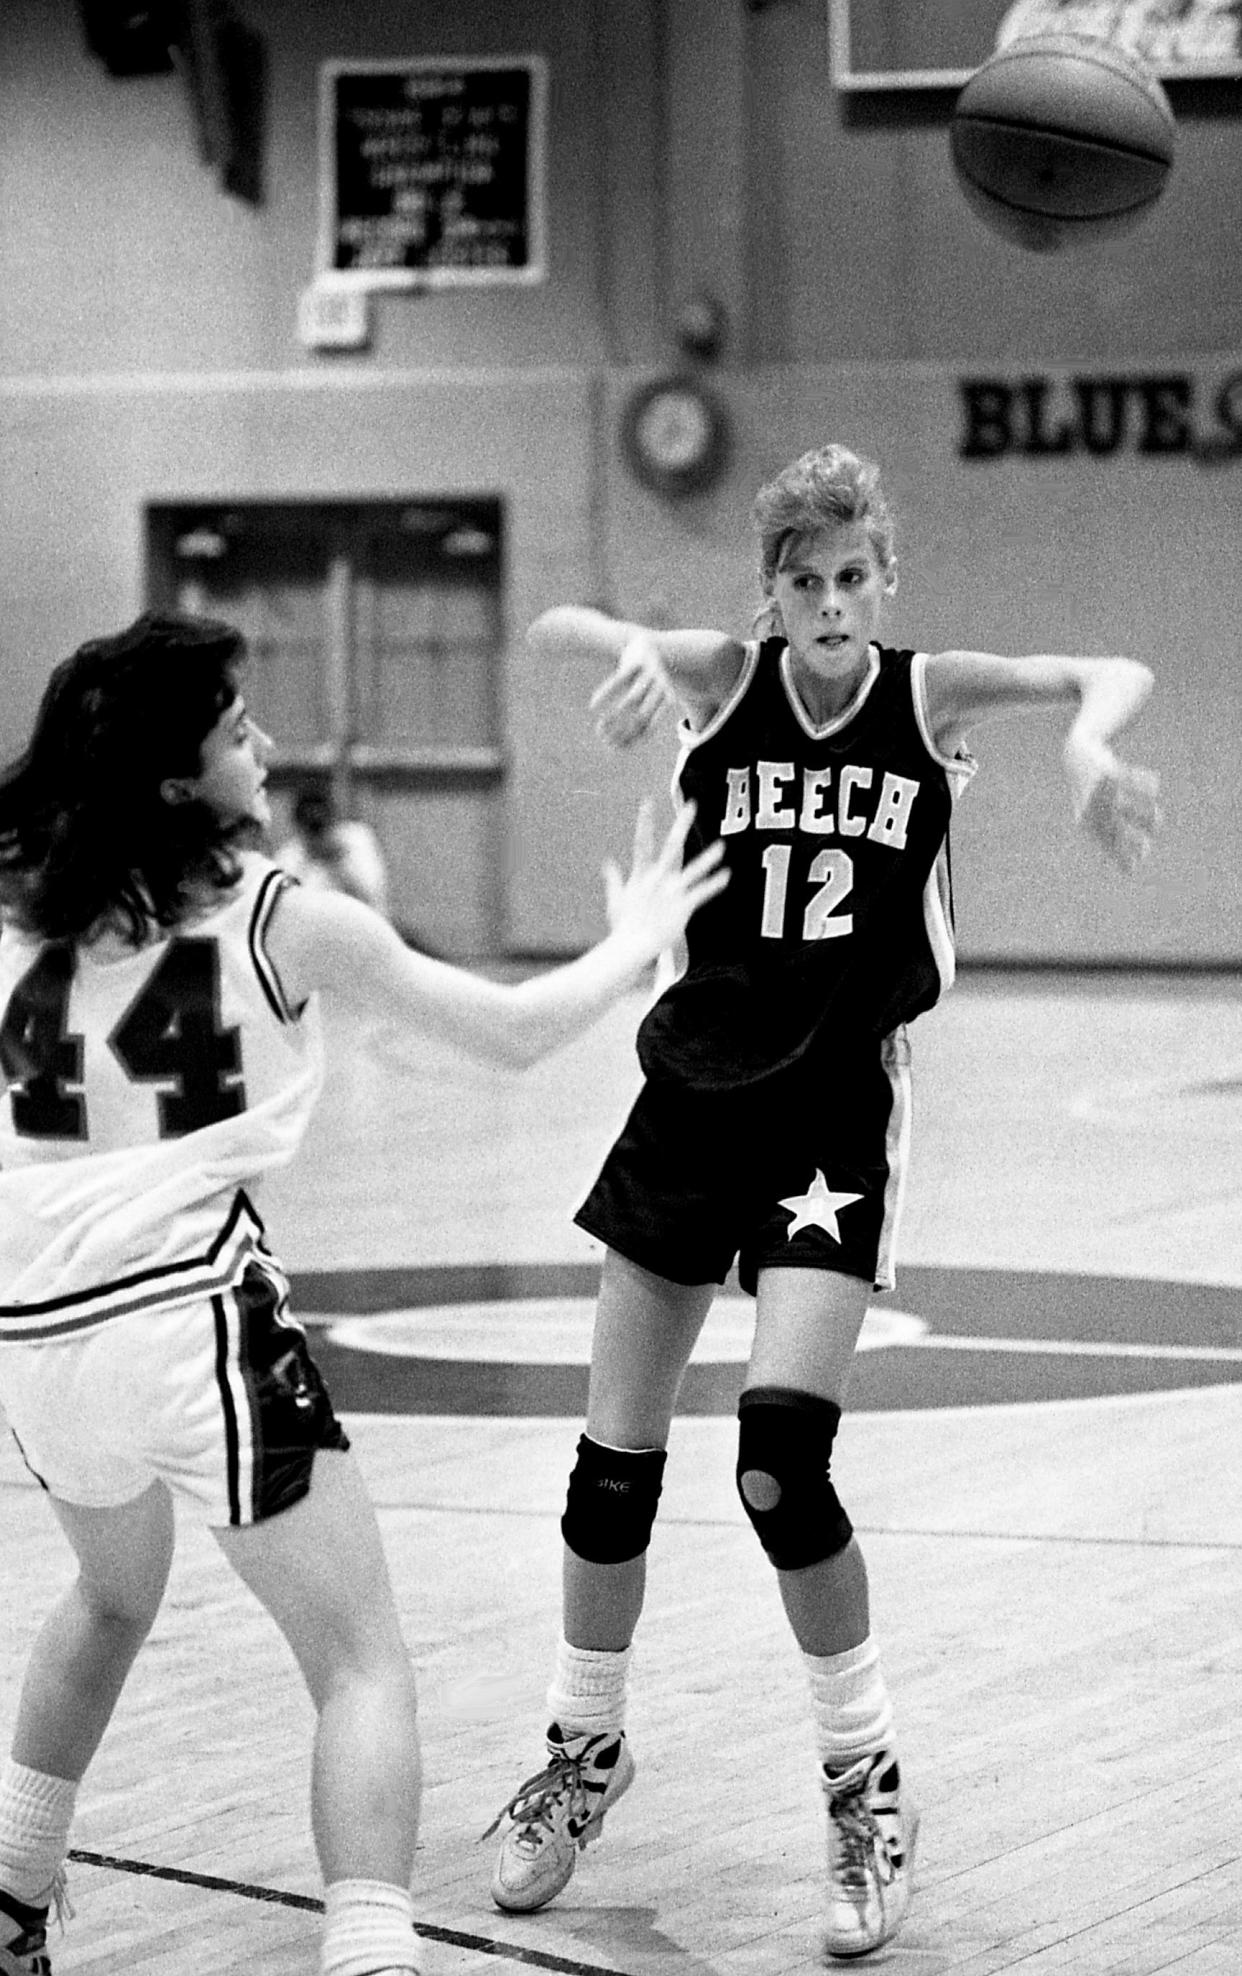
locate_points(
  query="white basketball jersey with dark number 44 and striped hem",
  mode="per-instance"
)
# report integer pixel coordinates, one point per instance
(147, 1094)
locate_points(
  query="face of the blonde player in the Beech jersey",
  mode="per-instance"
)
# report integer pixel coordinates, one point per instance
(830, 590)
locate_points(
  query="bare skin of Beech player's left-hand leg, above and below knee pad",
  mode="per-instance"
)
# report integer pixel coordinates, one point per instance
(645, 1335)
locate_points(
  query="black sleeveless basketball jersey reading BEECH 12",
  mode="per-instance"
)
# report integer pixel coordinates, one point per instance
(838, 912)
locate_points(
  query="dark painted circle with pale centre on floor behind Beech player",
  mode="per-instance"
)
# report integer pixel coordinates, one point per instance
(516, 1341)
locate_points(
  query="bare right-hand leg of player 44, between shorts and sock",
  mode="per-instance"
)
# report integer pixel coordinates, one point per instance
(323, 1576)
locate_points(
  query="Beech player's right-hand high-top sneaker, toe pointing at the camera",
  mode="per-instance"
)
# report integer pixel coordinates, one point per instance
(870, 1856)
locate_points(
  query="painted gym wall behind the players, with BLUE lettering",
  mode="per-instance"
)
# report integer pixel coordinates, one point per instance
(149, 353)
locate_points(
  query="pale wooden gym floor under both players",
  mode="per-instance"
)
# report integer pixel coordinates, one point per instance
(1042, 1461)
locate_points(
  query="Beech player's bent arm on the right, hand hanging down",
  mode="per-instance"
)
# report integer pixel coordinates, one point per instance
(1113, 799)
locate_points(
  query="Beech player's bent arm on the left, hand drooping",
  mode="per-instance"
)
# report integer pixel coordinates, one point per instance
(690, 671)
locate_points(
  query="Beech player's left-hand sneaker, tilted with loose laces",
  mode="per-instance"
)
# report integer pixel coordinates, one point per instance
(556, 1815)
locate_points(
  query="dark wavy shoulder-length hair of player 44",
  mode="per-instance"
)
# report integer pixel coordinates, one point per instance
(86, 835)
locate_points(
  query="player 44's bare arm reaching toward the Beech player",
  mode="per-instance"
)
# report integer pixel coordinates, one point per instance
(341, 946)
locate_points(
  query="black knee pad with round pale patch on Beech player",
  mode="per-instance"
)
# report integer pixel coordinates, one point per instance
(783, 1475)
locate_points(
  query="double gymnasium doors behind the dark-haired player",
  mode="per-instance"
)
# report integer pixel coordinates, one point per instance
(376, 635)
